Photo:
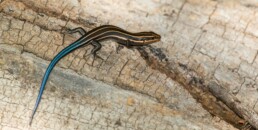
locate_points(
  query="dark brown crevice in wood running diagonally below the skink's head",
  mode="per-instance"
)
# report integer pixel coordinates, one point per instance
(196, 86)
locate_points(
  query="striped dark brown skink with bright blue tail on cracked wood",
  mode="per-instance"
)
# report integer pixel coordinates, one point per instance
(93, 37)
